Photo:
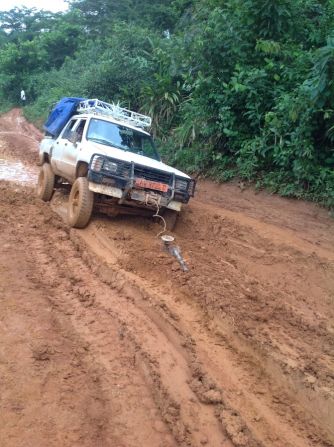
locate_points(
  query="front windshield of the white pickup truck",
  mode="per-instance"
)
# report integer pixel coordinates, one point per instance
(121, 137)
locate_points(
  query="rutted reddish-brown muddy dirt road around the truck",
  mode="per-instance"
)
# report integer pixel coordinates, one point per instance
(104, 341)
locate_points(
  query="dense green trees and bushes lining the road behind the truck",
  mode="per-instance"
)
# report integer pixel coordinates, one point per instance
(236, 88)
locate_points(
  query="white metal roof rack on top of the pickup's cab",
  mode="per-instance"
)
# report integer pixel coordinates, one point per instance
(115, 111)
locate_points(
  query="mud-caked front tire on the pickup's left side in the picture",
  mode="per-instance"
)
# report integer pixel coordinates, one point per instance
(80, 204)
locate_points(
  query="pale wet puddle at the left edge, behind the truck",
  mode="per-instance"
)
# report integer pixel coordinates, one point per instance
(17, 172)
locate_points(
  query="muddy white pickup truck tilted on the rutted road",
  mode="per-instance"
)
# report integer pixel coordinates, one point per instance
(110, 160)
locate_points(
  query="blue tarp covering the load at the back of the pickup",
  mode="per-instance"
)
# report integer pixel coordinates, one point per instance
(60, 114)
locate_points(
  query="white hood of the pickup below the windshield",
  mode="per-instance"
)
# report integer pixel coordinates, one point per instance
(121, 155)
